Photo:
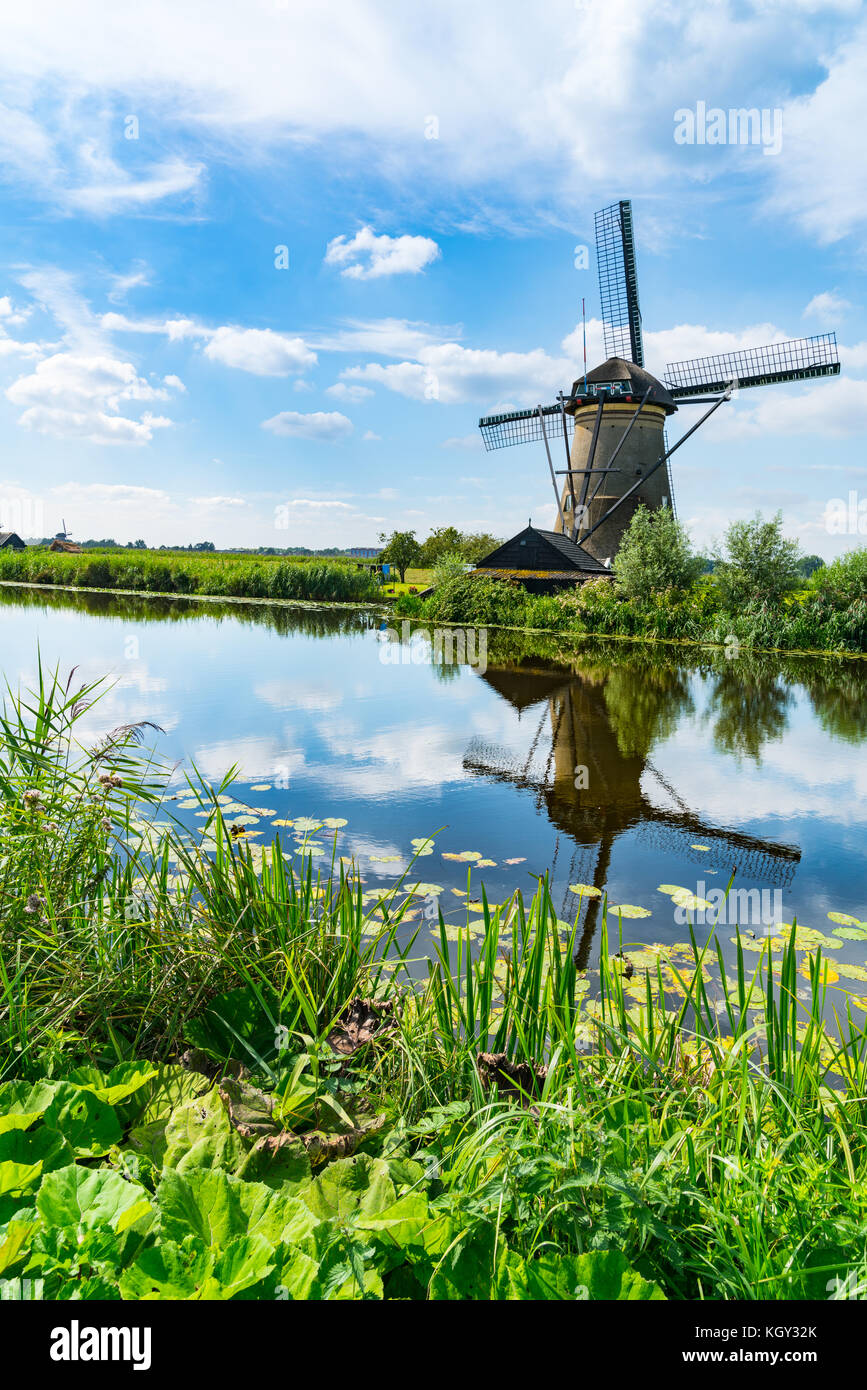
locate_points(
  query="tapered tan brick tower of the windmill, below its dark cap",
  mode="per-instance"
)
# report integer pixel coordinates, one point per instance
(638, 455)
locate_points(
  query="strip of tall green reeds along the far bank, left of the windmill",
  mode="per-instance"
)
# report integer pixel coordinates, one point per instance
(155, 572)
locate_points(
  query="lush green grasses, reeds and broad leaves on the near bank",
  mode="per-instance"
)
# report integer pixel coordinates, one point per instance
(226, 1077)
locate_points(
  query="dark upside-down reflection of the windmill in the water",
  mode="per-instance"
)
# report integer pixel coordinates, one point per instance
(577, 729)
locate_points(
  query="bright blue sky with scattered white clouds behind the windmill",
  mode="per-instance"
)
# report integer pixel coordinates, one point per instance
(263, 268)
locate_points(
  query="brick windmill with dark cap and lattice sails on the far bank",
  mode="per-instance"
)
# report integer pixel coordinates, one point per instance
(616, 415)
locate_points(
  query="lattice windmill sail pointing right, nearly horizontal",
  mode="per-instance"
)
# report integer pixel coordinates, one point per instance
(798, 359)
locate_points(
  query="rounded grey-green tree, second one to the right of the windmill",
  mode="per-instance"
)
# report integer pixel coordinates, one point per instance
(759, 564)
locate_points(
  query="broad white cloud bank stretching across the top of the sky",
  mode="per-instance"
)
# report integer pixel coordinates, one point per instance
(520, 112)
